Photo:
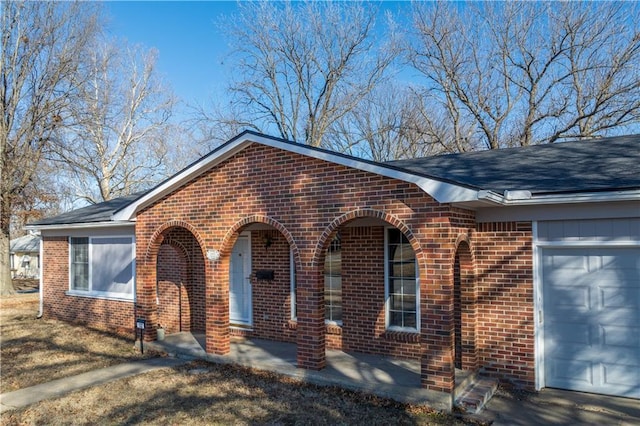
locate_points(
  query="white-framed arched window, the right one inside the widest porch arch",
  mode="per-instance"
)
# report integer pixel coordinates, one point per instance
(402, 291)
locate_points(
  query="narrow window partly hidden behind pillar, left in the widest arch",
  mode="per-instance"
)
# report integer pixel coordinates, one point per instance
(333, 282)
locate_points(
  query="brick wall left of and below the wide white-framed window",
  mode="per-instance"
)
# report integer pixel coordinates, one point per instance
(108, 315)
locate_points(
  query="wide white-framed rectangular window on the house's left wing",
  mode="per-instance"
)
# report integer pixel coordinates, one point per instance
(102, 266)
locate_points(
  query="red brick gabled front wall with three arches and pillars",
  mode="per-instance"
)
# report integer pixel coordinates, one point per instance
(306, 200)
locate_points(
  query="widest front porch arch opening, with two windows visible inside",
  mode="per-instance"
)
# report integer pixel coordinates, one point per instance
(369, 263)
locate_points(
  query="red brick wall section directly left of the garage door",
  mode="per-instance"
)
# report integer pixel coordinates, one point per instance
(505, 327)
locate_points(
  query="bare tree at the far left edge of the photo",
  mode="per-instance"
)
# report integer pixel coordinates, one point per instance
(39, 60)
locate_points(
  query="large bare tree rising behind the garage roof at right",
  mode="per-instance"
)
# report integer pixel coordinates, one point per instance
(520, 73)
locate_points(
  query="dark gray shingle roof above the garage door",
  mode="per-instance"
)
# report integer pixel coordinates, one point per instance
(569, 167)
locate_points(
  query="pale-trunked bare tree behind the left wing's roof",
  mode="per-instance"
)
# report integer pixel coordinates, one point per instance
(116, 142)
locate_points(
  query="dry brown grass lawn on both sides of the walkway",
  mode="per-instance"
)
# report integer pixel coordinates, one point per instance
(193, 394)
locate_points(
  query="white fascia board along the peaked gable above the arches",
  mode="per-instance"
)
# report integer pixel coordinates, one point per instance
(441, 191)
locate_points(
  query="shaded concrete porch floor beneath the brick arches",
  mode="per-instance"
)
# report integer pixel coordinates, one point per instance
(378, 375)
